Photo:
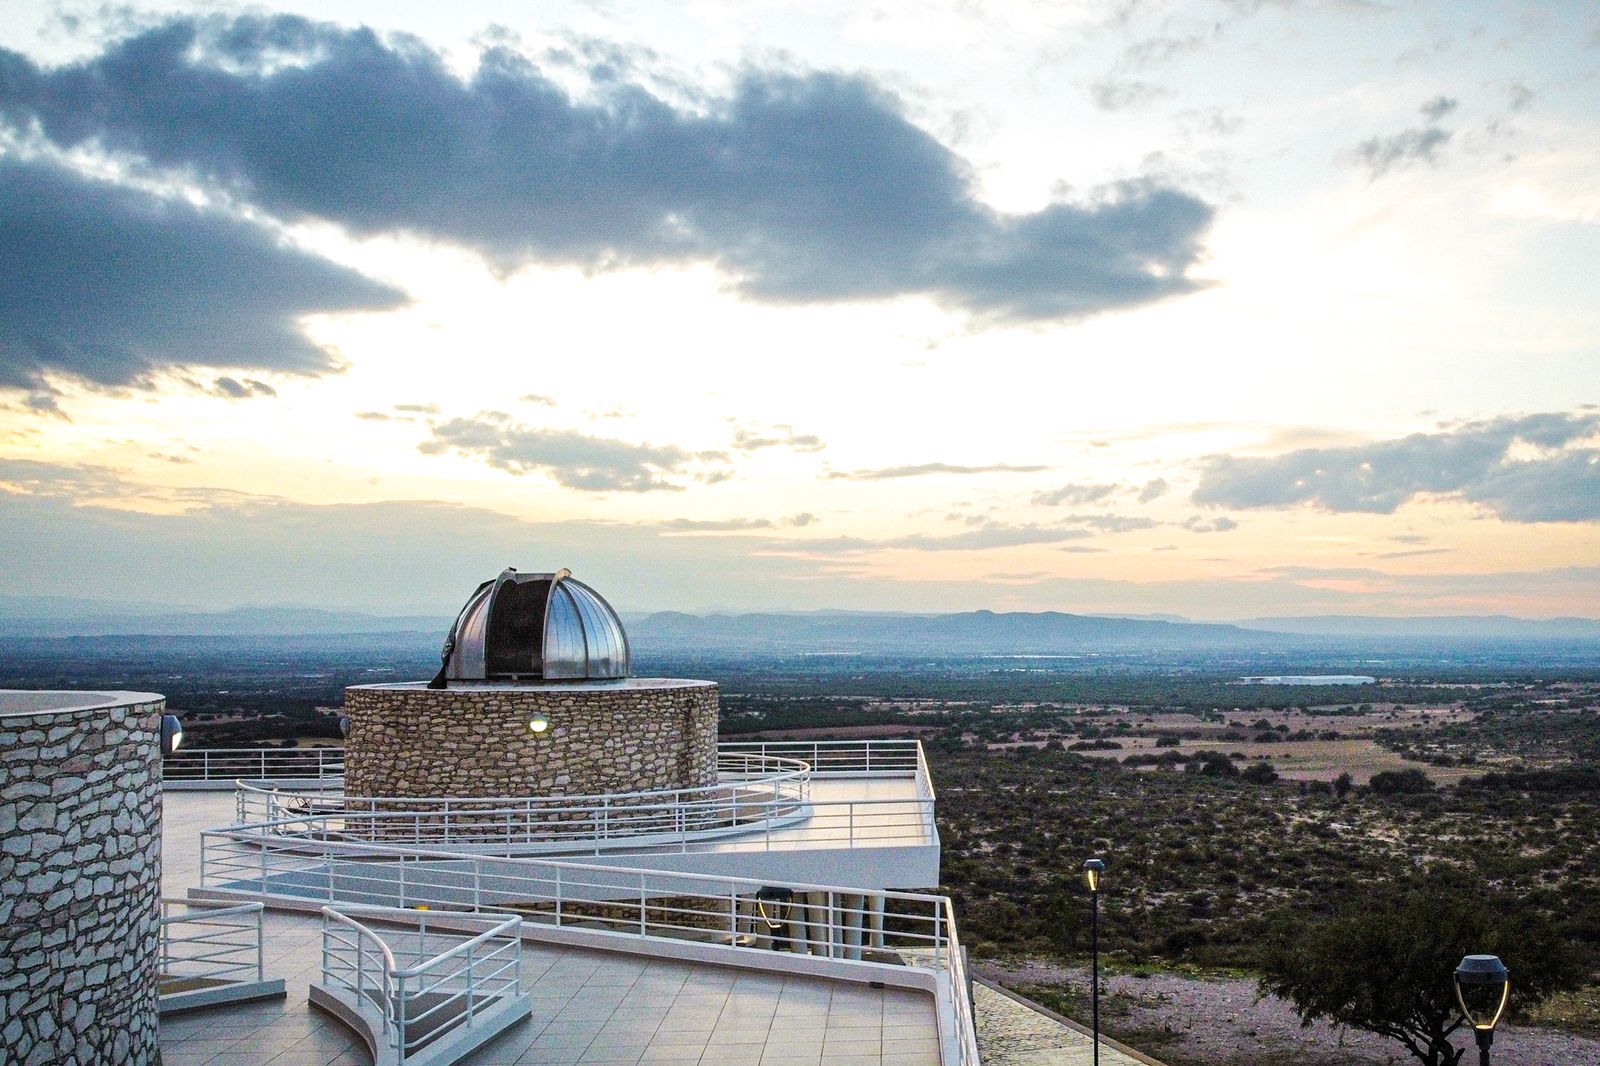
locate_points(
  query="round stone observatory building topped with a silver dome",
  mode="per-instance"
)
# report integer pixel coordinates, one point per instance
(535, 697)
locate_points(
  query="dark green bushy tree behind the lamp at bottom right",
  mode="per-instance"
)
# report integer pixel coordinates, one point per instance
(1385, 960)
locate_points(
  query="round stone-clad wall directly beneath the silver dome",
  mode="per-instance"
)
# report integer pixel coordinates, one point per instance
(474, 740)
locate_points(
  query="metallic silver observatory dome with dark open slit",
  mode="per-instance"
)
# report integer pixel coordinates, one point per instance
(535, 627)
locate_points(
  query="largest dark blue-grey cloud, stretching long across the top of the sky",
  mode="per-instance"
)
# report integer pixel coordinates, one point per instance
(799, 186)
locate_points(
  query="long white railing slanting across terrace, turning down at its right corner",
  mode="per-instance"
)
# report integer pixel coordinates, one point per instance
(732, 915)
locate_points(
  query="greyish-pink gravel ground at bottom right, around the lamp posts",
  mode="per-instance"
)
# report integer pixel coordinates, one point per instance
(1220, 1024)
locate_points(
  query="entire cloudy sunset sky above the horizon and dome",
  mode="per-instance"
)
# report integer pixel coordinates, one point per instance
(1222, 310)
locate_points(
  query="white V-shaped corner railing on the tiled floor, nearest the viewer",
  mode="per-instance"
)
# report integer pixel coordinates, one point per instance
(430, 977)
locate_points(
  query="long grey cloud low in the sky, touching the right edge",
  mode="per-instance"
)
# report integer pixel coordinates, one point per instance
(1556, 481)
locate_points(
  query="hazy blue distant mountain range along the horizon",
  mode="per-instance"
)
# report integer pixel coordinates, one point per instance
(970, 633)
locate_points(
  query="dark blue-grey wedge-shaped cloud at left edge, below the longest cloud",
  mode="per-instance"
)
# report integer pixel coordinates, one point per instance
(110, 286)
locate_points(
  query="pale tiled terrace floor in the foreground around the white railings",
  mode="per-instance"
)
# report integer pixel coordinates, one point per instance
(588, 1006)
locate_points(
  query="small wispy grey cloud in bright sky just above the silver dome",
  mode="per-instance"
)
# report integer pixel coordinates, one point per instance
(570, 459)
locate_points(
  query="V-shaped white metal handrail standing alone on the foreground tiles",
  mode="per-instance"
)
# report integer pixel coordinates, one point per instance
(479, 972)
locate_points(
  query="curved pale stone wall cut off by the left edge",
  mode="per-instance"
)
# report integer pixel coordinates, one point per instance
(81, 878)
